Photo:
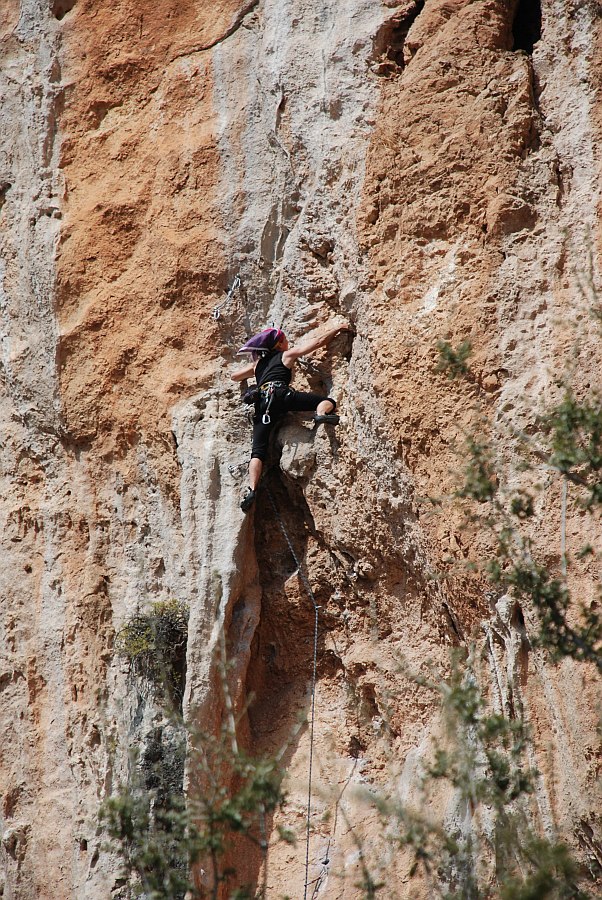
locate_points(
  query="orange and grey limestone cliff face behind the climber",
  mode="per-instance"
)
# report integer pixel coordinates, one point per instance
(425, 169)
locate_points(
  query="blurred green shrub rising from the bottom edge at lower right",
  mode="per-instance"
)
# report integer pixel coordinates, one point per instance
(493, 852)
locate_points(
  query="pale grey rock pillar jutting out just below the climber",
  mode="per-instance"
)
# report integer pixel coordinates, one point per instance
(218, 557)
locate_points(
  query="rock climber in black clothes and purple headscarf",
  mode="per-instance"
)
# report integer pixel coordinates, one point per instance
(272, 365)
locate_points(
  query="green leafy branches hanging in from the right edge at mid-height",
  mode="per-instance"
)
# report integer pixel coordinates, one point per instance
(568, 441)
